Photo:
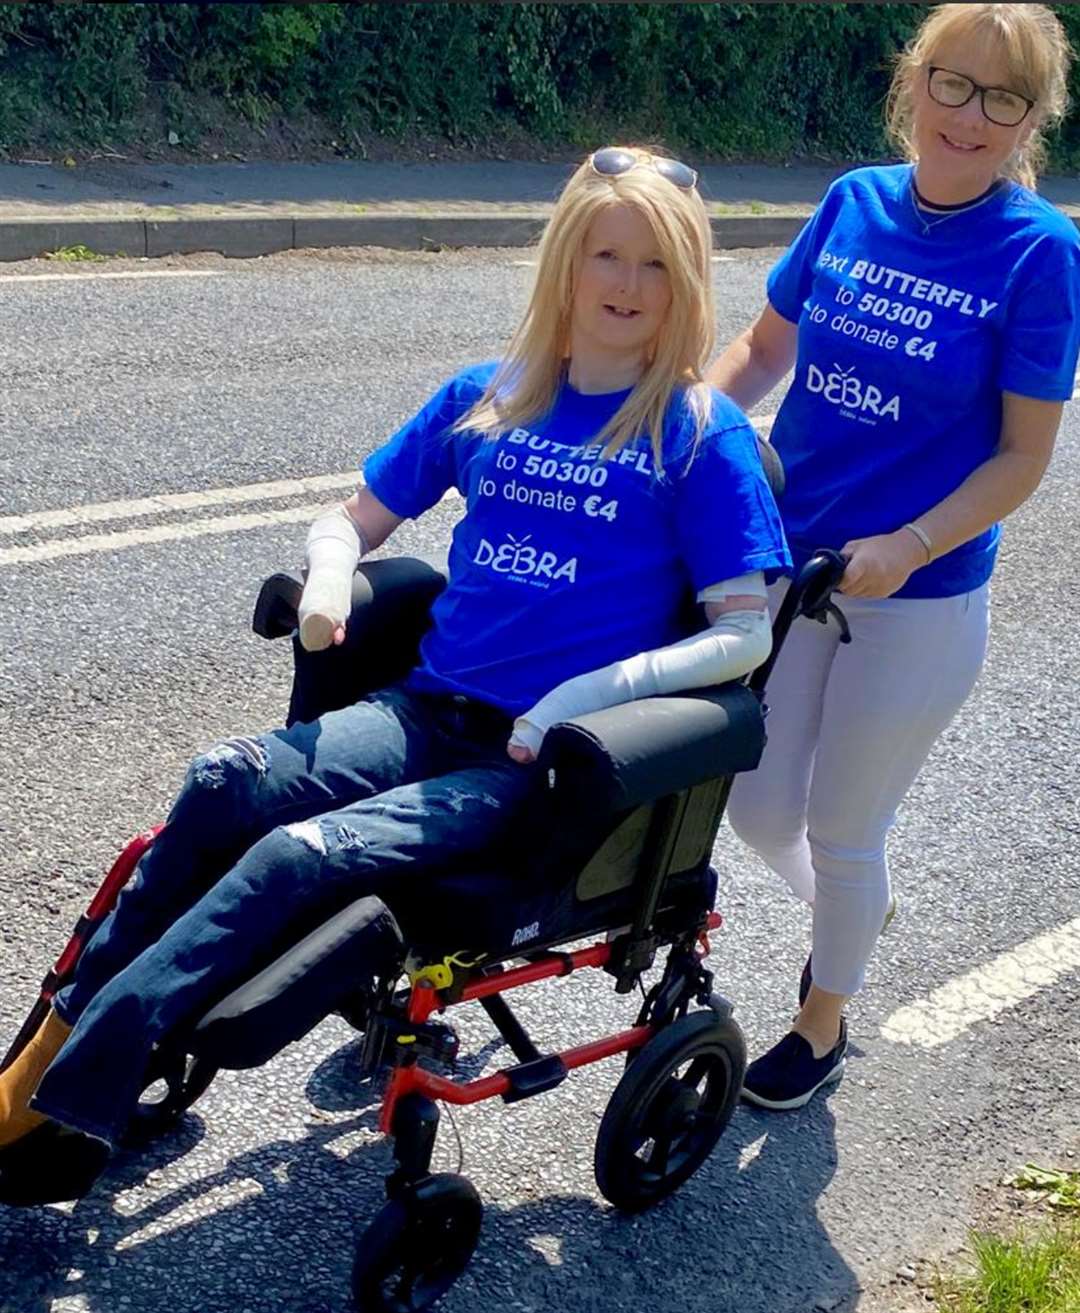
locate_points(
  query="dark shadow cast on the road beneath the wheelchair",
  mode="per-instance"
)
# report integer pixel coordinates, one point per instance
(275, 1228)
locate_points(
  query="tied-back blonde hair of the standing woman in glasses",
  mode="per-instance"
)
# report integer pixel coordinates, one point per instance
(1037, 54)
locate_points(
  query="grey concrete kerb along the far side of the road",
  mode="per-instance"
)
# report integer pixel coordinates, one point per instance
(254, 236)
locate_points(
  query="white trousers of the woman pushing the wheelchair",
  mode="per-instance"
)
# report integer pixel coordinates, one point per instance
(850, 729)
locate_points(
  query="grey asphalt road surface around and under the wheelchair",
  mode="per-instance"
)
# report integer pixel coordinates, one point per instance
(121, 664)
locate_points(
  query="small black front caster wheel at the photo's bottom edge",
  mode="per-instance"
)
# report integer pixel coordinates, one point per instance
(418, 1245)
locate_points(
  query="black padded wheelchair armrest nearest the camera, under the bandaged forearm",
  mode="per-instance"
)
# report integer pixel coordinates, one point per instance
(627, 756)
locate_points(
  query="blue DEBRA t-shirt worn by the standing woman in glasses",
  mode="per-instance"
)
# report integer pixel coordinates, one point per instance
(911, 326)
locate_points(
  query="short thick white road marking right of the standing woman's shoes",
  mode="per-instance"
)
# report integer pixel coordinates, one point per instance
(987, 991)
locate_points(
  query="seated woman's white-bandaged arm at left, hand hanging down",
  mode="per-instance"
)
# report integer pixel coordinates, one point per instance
(335, 544)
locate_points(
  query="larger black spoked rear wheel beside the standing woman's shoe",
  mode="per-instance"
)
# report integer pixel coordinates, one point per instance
(670, 1110)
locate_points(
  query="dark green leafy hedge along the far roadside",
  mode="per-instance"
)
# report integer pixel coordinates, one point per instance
(764, 81)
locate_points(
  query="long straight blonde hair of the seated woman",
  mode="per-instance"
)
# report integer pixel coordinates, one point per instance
(528, 379)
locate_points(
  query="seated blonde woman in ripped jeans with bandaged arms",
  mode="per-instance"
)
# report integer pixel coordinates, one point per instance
(603, 483)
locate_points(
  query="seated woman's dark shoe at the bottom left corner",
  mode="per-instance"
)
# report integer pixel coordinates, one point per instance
(52, 1165)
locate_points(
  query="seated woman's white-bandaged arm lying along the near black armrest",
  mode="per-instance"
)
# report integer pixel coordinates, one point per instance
(738, 639)
